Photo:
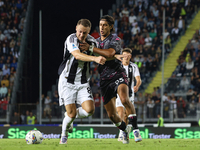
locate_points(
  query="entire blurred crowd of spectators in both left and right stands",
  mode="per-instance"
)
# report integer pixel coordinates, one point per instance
(139, 24)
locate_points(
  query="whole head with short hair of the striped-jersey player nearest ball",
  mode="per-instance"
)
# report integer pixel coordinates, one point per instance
(83, 29)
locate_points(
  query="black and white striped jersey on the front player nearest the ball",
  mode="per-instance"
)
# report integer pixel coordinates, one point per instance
(75, 70)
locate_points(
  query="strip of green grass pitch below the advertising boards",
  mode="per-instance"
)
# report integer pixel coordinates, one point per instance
(102, 144)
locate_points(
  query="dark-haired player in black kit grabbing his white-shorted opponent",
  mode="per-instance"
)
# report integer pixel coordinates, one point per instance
(113, 79)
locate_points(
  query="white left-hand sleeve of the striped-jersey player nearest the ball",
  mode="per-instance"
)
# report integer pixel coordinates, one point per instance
(70, 44)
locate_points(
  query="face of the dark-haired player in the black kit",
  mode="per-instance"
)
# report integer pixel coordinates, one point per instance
(104, 28)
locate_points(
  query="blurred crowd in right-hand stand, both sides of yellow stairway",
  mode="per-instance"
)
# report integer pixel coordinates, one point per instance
(139, 23)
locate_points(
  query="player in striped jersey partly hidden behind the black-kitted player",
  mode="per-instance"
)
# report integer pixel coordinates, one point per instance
(132, 72)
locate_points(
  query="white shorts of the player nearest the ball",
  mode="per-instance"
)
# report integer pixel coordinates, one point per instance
(71, 93)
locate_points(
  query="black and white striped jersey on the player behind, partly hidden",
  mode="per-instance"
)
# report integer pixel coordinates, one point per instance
(132, 71)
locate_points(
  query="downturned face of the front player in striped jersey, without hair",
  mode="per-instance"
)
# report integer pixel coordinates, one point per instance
(82, 32)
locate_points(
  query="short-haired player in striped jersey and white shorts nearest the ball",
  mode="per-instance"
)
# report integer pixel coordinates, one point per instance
(74, 76)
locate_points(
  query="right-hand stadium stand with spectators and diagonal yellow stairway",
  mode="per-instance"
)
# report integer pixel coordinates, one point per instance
(139, 25)
